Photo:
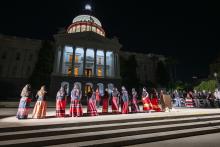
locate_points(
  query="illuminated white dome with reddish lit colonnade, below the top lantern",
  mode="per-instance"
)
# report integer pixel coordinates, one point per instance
(84, 23)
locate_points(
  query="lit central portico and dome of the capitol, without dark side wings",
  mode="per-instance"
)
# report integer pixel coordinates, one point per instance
(84, 55)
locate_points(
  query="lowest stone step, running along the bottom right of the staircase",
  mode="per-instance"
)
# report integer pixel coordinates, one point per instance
(144, 138)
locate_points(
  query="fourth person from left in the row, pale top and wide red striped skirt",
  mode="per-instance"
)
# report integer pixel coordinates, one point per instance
(75, 105)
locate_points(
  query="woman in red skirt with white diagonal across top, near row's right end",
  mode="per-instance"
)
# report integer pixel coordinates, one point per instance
(147, 106)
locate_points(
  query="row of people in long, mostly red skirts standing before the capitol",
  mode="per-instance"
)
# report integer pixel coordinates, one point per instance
(116, 98)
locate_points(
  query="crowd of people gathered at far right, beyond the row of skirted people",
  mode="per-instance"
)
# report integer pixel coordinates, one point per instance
(198, 99)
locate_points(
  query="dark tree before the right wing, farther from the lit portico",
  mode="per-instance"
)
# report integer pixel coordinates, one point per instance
(162, 75)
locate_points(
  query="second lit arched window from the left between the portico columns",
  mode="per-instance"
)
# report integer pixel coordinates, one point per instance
(78, 65)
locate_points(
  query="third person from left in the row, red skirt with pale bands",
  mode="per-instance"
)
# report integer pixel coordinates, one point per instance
(61, 102)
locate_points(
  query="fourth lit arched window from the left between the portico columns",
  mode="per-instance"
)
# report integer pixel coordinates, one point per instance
(100, 63)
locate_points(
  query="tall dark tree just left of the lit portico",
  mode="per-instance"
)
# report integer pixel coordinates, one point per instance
(44, 66)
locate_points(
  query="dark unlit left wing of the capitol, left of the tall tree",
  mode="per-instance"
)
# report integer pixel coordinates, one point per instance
(18, 57)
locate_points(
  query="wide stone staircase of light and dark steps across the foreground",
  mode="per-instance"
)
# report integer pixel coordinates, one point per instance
(105, 133)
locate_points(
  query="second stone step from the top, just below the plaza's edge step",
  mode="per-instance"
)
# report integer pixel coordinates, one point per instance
(68, 130)
